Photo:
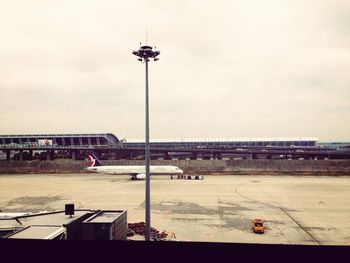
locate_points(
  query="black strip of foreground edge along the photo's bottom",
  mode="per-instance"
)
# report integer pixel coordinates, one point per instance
(165, 251)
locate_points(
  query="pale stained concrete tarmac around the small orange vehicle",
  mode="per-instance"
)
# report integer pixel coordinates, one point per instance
(308, 210)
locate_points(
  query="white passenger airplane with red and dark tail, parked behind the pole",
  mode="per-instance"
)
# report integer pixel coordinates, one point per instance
(137, 172)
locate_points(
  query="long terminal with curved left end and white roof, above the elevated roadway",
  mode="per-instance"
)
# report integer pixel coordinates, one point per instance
(109, 139)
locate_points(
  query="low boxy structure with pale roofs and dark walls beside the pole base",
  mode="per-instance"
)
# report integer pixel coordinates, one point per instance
(78, 225)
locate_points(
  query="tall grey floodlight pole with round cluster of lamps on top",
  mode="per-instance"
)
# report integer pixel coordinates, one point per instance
(144, 54)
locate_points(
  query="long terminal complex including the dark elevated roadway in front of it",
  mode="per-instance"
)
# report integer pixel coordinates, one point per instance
(109, 146)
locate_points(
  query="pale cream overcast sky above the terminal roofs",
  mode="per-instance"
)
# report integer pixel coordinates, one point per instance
(227, 68)
